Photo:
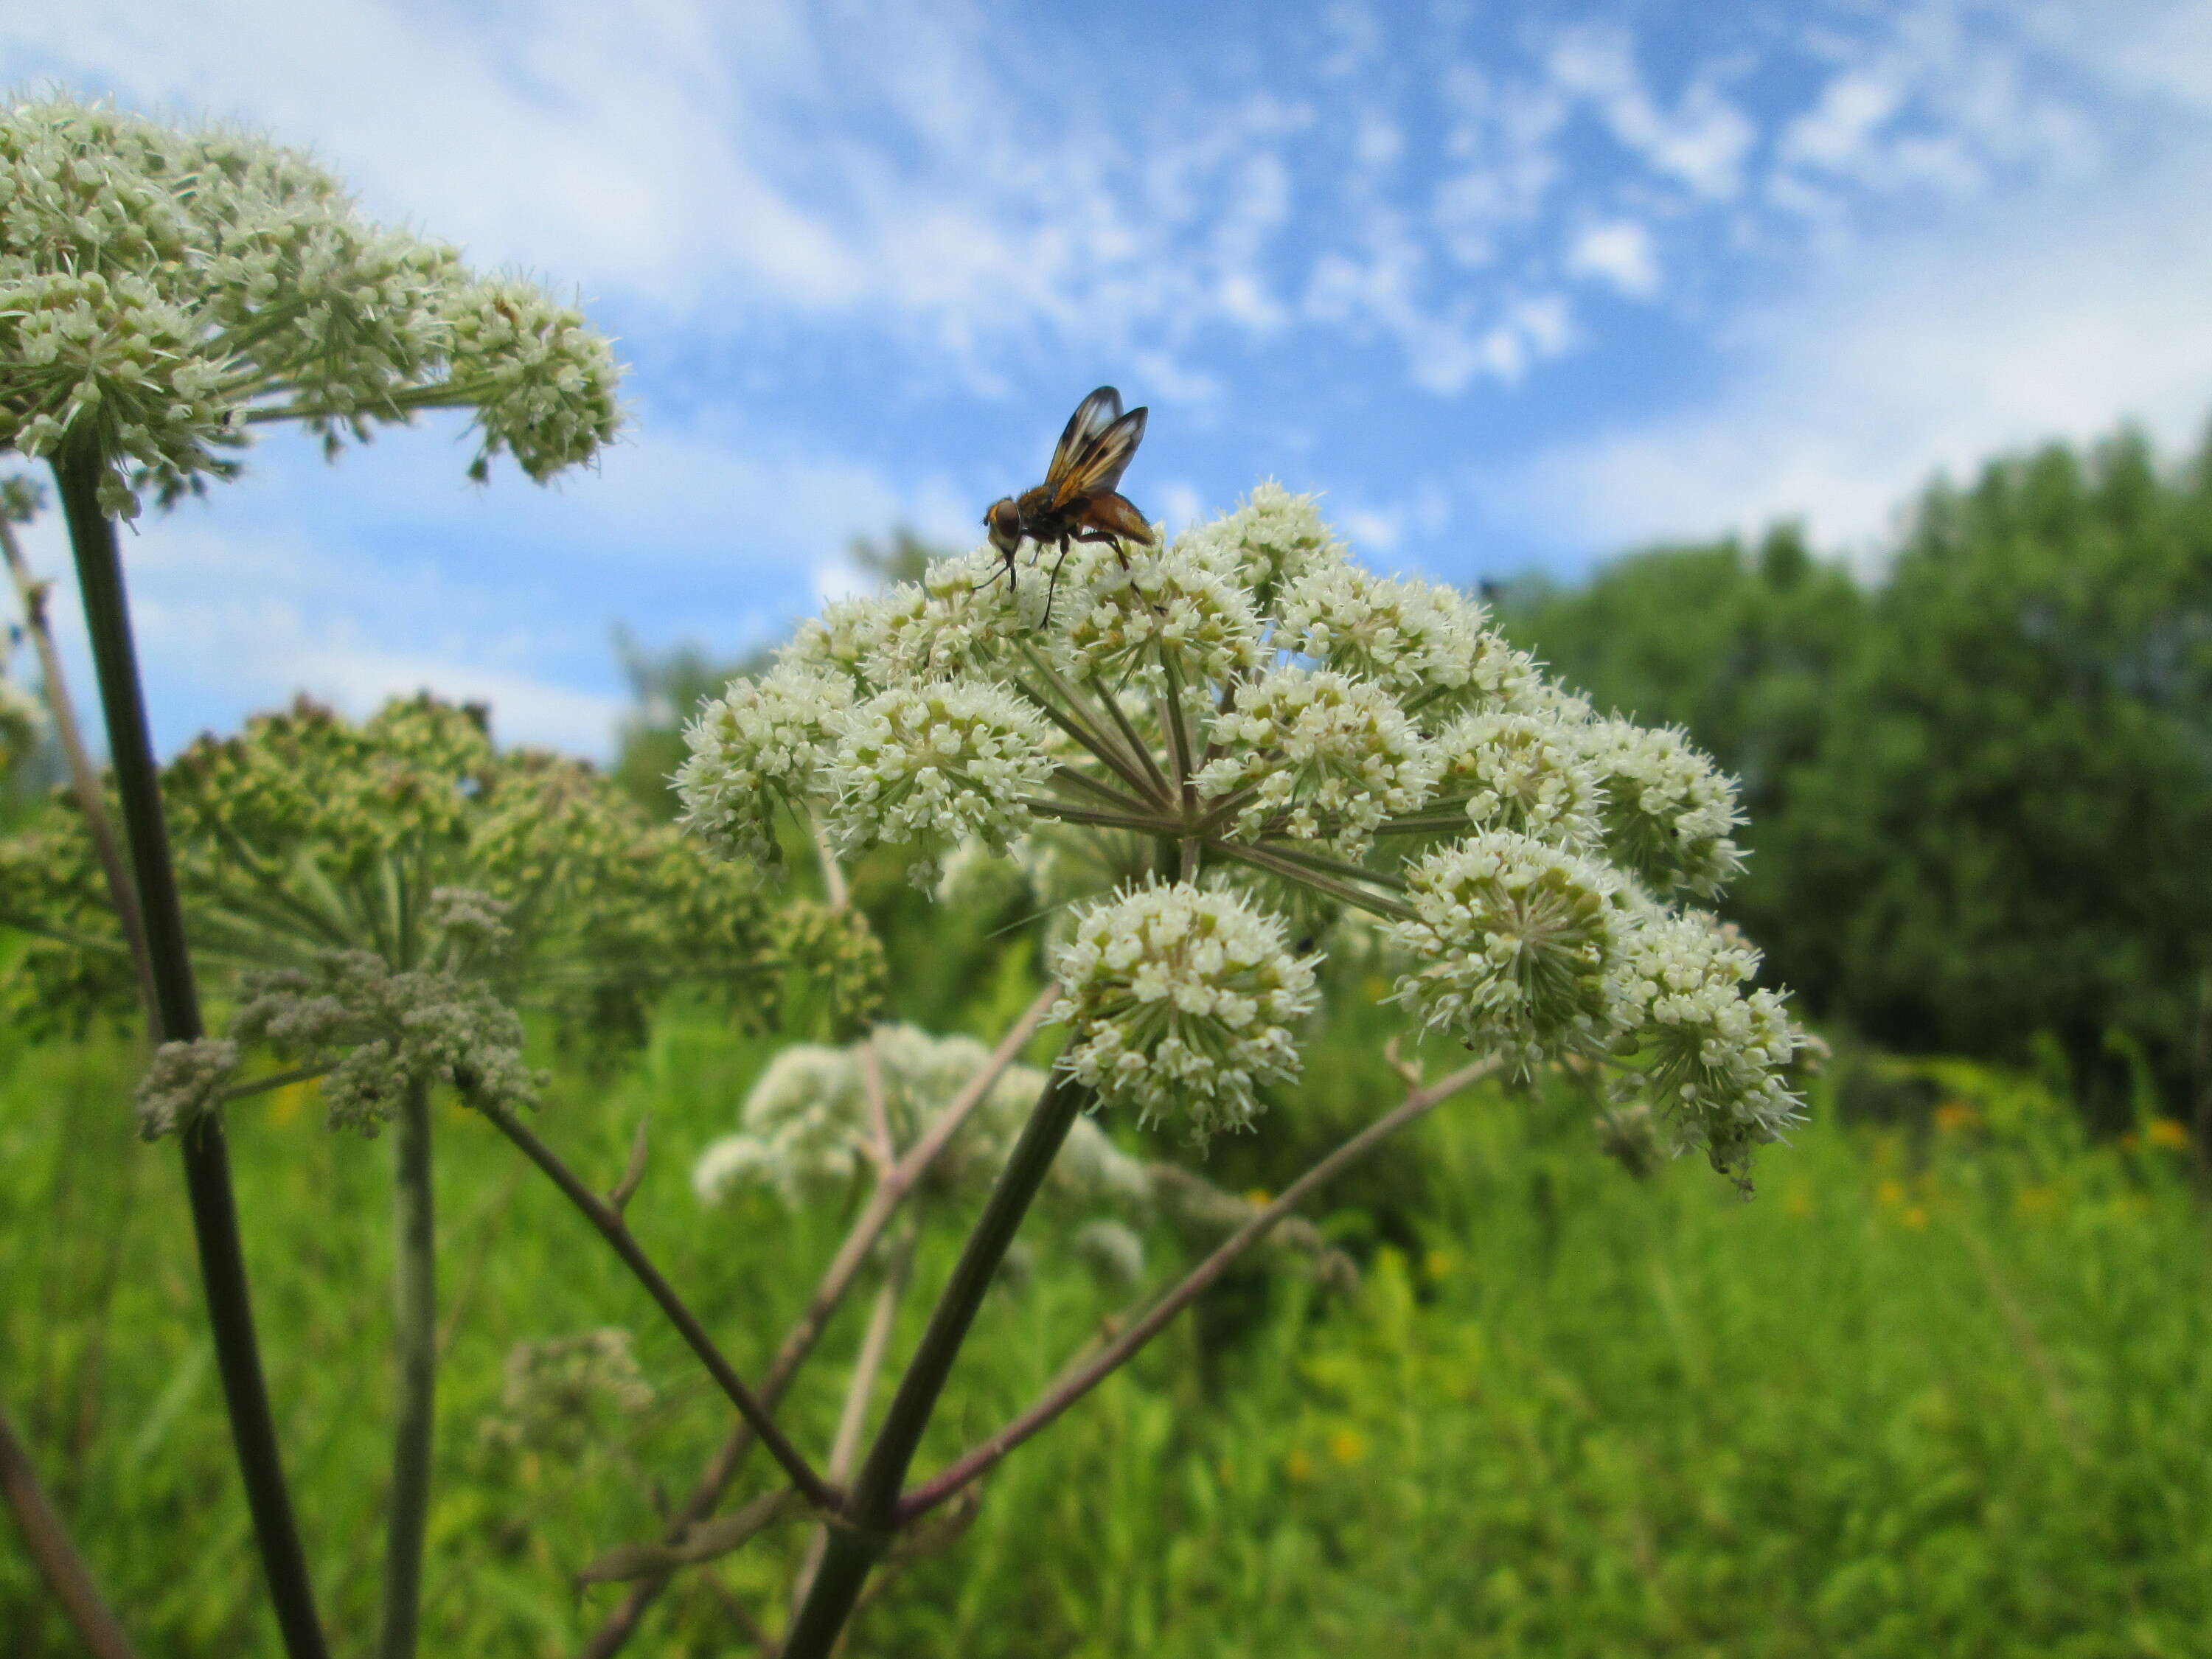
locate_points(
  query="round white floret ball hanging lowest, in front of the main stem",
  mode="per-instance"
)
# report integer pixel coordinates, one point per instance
(1180, 1001)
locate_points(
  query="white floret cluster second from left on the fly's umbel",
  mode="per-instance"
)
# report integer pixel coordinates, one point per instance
(935, 766)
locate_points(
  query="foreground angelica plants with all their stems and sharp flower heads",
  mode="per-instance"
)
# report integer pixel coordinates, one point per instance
(1209, 758)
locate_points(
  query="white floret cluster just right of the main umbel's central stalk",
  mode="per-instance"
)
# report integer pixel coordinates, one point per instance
(1315, 755)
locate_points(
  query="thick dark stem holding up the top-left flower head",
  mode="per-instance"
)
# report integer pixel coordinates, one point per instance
(176, 1019)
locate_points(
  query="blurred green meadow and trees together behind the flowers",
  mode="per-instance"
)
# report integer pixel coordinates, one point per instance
(1939, 1390)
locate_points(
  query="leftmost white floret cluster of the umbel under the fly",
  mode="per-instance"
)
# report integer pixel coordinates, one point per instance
(758, 749)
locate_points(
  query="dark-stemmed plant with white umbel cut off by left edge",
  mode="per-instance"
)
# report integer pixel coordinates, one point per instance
(163, 293)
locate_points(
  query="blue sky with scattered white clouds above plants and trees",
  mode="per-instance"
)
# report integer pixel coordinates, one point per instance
(1512, 286)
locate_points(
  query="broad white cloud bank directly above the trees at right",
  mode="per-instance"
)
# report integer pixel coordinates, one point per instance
(1937, 351)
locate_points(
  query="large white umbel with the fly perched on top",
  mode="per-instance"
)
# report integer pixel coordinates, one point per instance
(1204, 749)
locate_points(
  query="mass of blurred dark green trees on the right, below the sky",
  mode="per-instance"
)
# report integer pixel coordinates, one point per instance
(1981, 789)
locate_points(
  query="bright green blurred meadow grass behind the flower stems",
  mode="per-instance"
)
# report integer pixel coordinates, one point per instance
(1939, 1390)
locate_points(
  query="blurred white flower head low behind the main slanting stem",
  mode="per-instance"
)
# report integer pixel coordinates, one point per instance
(808, 1125)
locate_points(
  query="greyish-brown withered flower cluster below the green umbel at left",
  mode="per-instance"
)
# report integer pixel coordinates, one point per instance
(375, 1034)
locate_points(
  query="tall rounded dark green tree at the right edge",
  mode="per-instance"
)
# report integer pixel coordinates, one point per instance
(2010, 824)
